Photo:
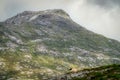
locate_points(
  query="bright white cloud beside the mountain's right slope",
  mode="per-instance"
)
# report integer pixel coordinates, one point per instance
(98, 19)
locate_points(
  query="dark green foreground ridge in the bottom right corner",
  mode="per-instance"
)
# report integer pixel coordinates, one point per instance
(111, 72)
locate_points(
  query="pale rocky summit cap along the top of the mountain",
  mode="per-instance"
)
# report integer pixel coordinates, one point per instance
(28, 16)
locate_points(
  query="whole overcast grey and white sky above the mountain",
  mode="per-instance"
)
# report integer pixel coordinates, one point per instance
(100, 16)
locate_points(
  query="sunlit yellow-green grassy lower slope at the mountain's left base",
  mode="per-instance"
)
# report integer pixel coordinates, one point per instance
(21, 65)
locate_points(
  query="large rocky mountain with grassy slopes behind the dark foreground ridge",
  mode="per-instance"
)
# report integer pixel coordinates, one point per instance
(42, 44)
